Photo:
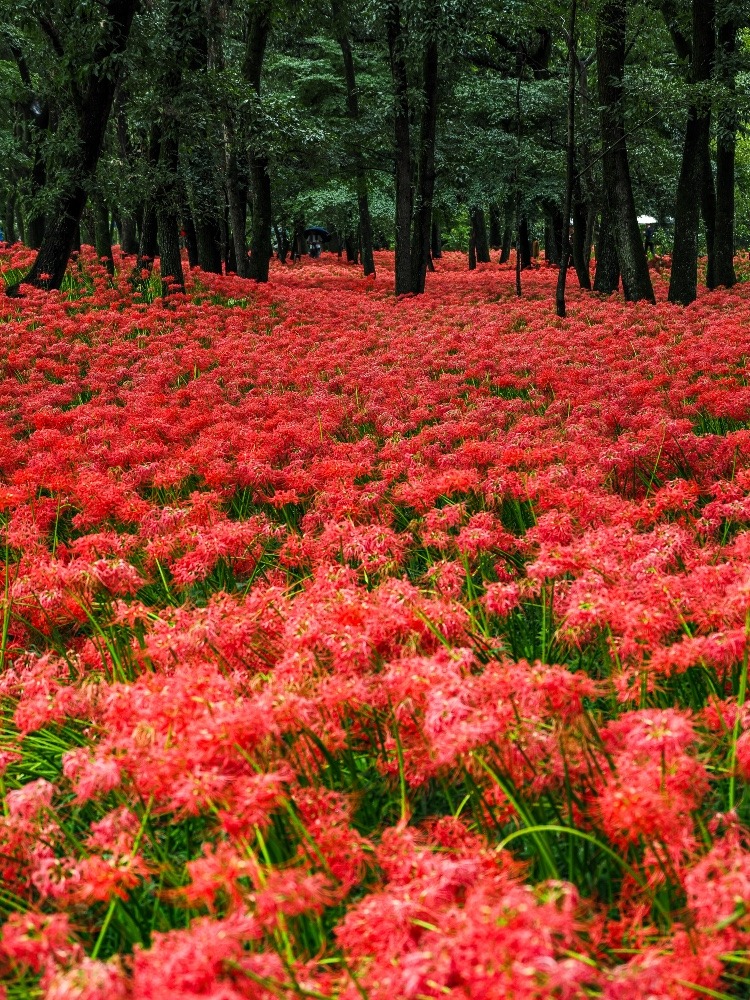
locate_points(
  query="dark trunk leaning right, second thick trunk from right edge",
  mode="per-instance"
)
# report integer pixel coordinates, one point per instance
(683, 284)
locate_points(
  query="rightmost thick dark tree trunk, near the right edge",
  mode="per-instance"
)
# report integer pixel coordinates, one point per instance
(726, 140)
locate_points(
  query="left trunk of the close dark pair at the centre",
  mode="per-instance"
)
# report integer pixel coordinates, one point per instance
(404, 197)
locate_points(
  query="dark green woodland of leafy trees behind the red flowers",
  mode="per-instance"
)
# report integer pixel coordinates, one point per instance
(231, 126)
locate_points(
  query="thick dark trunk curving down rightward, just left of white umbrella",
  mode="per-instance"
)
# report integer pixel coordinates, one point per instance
(610, 60)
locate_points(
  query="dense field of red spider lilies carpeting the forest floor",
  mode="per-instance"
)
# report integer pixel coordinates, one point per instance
(363, 648)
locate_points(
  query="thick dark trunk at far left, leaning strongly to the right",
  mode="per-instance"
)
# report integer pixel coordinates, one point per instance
(95, 104)
